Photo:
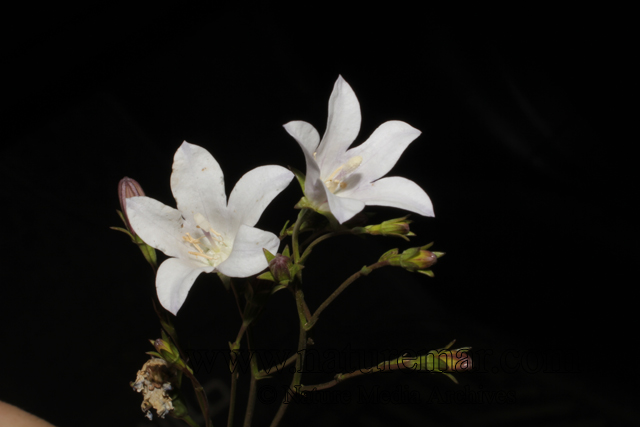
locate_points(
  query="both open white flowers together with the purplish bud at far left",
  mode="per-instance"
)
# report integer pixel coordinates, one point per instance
(208, 233)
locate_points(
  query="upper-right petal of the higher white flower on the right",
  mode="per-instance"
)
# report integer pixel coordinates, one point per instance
(382, 150)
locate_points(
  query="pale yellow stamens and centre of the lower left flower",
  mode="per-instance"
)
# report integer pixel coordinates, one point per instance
(209, 248)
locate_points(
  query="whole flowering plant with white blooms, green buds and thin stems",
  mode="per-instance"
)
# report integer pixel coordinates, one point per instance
(208, 233)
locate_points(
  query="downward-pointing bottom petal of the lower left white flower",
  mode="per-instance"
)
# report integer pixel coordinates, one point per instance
(174, 280)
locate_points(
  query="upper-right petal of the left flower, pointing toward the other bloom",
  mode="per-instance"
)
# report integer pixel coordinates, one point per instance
(254, 191)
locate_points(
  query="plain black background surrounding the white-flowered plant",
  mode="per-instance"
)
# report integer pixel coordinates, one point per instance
(524, 152)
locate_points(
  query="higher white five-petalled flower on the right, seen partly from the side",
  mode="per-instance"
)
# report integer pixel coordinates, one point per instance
(342, 181)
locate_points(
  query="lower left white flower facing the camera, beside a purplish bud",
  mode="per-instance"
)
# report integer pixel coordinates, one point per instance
(206, 233)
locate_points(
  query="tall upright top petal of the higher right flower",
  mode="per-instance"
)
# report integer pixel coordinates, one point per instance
(343, 125)
